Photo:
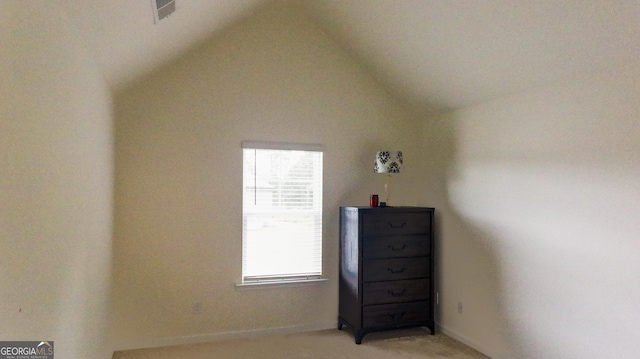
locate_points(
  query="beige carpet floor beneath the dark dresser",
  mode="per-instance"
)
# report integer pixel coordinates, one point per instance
(410, 343)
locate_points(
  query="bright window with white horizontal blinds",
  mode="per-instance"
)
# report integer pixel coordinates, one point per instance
(282, 212)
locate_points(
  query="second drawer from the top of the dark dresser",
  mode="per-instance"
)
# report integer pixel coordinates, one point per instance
(396, 246)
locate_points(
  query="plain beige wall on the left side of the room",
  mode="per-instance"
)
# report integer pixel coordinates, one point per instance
(55, 185)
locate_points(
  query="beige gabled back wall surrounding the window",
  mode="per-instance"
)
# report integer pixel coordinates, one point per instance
(273, 77)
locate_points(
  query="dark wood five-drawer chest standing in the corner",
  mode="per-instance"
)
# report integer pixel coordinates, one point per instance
(386, 269)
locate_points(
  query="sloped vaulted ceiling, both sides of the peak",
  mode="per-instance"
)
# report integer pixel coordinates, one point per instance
(436, 54)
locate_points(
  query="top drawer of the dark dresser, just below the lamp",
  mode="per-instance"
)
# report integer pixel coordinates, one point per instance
(384, 224)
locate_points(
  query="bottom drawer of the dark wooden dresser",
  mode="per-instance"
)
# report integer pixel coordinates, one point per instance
(395, 314)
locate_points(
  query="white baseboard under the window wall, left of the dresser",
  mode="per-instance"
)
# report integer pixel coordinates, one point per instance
(210, 337)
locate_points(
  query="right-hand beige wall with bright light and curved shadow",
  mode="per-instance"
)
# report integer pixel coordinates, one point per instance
(538, 196)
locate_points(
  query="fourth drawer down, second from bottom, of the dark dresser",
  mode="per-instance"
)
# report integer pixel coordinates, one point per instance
(395, 292)
